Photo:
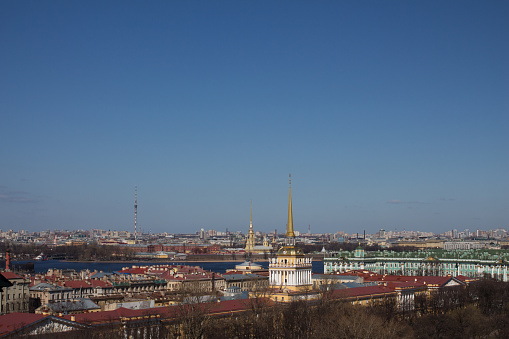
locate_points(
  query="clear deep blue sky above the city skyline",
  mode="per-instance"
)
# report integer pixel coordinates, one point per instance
(388, 114)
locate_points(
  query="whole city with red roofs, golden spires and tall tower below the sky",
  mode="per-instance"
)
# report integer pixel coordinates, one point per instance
(404, 273)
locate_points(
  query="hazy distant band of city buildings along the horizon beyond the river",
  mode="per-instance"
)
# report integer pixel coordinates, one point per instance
(231, 241)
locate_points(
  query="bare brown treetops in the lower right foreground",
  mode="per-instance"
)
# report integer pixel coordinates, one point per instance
(477, 310)
